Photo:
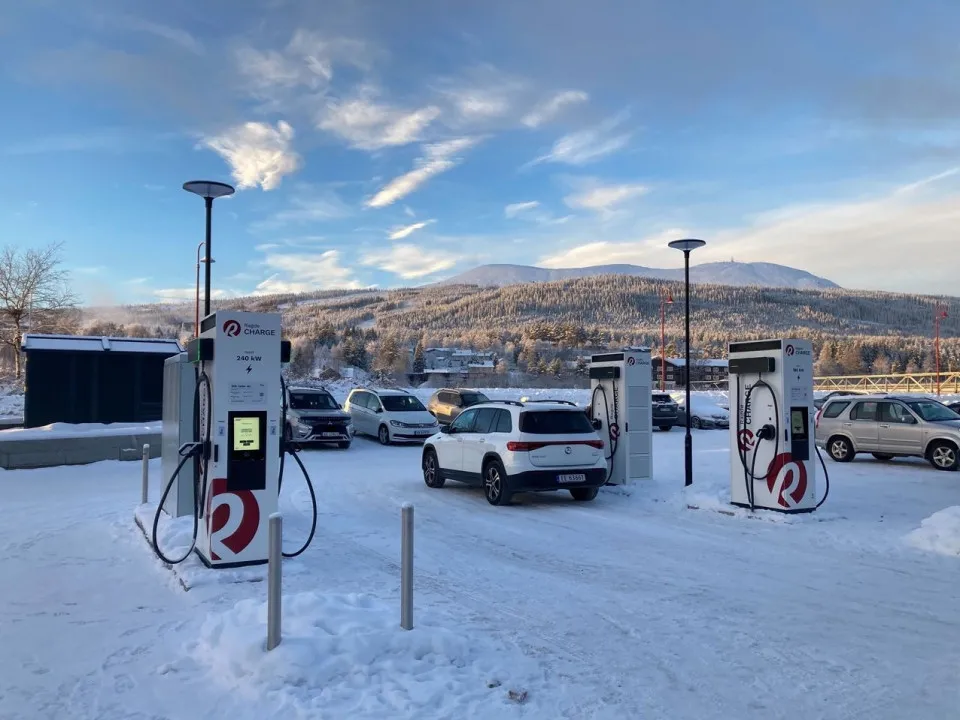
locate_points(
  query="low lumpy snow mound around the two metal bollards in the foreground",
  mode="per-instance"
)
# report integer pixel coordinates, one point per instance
(345, 656)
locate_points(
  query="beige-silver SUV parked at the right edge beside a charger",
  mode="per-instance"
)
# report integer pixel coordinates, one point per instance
(889, 426)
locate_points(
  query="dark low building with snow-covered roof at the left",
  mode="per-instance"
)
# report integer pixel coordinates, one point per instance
(74, 379)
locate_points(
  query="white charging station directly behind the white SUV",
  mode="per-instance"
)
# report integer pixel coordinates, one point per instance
(620, 391)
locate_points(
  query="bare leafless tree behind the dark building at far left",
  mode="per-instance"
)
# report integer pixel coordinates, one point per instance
(35, 295)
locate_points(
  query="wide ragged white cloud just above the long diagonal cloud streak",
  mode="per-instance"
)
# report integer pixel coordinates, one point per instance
(368, 125)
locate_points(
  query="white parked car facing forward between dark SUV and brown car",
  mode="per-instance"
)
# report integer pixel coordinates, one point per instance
(389, 415)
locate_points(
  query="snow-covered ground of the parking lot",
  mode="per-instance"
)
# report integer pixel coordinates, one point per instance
(633, 606)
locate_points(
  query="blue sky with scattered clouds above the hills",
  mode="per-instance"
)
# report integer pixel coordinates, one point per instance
(397, 143)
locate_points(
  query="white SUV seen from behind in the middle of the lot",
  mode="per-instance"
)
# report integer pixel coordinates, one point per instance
(509, 447)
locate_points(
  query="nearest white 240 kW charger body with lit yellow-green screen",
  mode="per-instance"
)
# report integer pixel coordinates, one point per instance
(241, 493)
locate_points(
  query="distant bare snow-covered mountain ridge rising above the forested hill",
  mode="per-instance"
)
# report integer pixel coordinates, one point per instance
(720, 273)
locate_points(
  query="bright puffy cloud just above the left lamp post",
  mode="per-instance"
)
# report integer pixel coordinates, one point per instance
(258, 153)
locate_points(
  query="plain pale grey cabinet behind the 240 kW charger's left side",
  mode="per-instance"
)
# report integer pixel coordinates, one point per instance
(179, 384)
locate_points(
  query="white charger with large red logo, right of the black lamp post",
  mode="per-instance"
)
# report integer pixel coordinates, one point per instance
(772, 444)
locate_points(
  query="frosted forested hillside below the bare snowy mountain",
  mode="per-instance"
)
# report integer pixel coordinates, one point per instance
(853, 331)
